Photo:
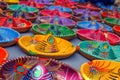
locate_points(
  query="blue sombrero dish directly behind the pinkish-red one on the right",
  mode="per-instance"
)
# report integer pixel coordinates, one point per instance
(93, 25)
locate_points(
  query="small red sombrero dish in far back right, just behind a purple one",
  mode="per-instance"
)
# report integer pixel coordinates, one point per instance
(88, 6)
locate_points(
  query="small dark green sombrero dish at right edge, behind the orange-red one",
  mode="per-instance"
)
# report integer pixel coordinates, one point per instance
(112, 21)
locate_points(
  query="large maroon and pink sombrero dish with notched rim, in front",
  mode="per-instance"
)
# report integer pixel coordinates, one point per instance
(35, 68)
